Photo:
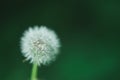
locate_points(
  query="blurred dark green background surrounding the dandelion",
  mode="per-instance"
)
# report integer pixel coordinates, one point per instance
(89, 31)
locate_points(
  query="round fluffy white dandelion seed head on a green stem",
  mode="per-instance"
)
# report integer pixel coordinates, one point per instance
(40, 45)
